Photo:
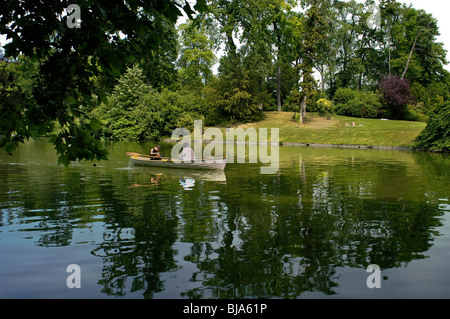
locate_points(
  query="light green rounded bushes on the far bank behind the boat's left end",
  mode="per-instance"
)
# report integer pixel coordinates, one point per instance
(134, 111)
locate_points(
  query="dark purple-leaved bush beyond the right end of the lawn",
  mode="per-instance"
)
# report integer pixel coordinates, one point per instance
(396, 93)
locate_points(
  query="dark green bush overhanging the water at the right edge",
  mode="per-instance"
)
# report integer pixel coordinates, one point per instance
(436, 136)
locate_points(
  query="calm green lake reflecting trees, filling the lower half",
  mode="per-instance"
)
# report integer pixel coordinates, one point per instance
(310, 230)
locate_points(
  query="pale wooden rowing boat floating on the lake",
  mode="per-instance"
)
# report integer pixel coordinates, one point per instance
(147, 160)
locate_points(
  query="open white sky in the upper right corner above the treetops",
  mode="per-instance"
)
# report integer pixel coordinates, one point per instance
(438, 8)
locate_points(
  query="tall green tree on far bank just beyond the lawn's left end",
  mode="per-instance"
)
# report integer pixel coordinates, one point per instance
(240, 91)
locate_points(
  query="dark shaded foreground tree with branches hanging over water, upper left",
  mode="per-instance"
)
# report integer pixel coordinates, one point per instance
(69, 61)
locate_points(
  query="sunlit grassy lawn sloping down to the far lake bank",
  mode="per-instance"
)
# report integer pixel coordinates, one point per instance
(319, 130)
